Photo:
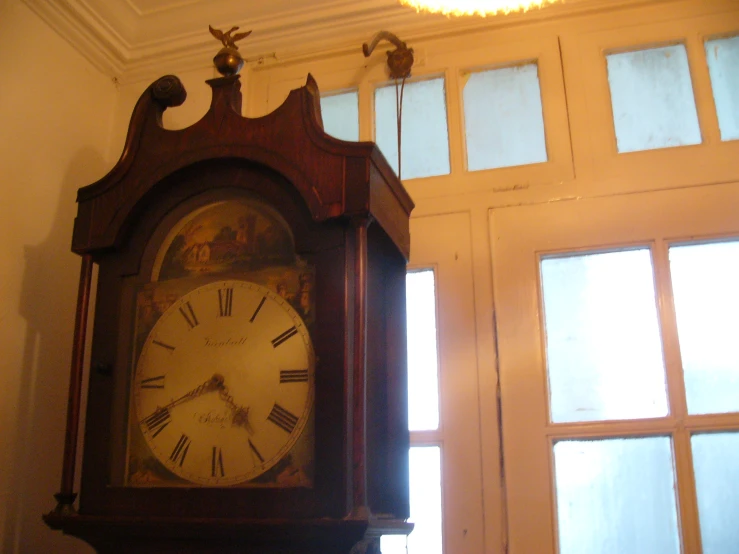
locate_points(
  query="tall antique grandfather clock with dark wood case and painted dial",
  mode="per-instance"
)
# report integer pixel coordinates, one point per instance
(248, 383)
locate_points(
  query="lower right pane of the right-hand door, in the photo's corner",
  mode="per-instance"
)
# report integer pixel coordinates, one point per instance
(716, 462)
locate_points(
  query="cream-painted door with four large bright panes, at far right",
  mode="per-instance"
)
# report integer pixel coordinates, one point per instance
(616, 321)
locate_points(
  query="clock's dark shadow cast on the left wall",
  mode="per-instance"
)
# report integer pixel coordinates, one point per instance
(47, 303)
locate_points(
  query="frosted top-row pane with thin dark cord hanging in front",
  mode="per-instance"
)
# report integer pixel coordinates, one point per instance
(425, 134)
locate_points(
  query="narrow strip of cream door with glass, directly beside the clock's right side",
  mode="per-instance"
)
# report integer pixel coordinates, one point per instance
(441, 245)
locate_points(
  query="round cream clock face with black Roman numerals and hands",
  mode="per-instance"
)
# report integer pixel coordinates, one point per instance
(223, 387)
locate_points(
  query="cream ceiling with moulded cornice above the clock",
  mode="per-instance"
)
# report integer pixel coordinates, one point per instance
(132, 40)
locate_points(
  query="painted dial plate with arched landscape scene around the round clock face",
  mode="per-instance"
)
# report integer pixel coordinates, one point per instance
(231, 242)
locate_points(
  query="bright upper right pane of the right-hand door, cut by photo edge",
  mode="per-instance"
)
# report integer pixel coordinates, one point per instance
(704, 284)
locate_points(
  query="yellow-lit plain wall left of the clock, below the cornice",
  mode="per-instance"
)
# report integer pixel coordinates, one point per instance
(55, 117)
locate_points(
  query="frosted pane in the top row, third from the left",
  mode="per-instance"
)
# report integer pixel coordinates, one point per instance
(503, 118)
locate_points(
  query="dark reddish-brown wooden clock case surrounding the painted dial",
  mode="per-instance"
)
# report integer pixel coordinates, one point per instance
(349, 215)
